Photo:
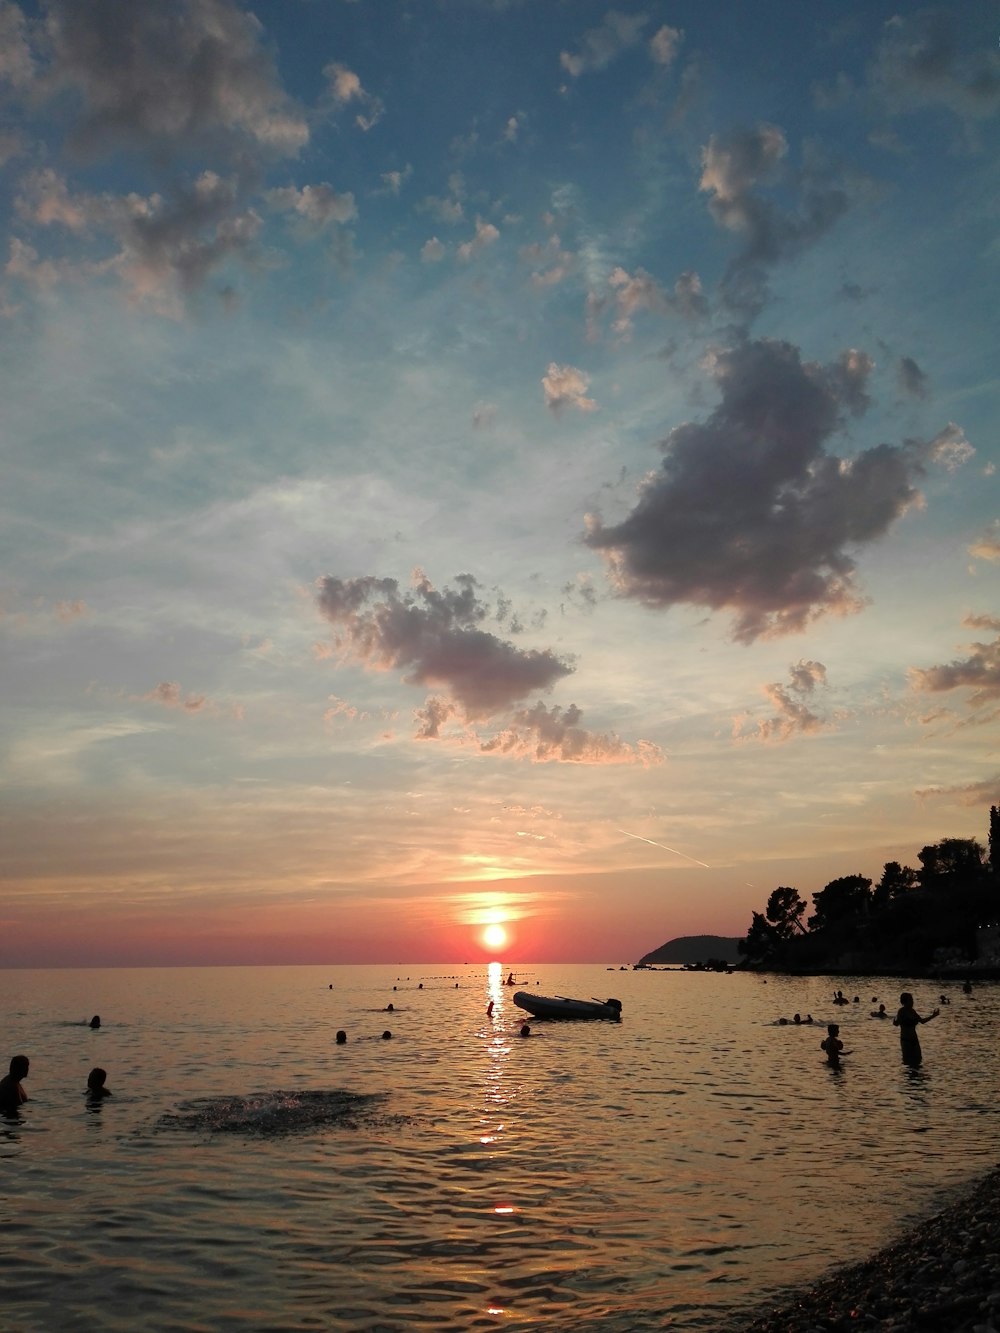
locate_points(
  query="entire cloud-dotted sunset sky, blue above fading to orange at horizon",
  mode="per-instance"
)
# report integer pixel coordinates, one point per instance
(466, 462)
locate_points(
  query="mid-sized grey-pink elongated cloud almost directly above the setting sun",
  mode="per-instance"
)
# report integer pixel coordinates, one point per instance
(437, 639)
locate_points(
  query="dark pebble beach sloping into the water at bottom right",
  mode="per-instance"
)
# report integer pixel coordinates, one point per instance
(941, 1278)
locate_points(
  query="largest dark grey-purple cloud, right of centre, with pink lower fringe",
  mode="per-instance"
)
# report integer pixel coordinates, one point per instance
(749, 513)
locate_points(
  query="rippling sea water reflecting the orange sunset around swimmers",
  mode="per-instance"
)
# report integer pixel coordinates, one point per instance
(665, 1172)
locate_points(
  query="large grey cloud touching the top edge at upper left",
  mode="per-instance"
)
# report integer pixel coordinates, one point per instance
(163, 75)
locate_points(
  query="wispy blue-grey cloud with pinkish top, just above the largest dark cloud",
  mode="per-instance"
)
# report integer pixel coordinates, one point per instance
(734, 170)
